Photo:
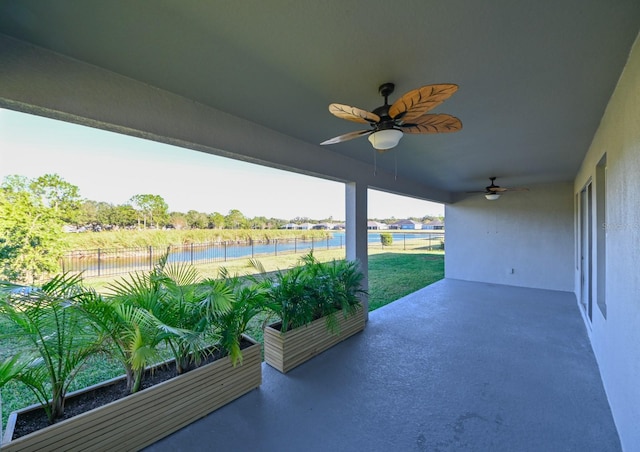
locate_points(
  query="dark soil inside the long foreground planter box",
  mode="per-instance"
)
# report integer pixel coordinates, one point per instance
(37, 419)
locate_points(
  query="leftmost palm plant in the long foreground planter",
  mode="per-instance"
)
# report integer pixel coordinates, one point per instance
(52, 321)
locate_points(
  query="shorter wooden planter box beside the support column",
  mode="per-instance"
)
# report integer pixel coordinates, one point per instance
(284, 351)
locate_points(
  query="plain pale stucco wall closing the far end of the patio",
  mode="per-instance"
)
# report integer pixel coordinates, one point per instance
(529, 232)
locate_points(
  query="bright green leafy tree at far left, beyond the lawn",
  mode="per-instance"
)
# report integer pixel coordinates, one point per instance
(32, 213)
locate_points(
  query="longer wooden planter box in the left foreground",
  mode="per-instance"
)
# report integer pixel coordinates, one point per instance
(145, 417)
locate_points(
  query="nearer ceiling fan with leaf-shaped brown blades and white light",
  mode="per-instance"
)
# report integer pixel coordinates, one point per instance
(406, 115)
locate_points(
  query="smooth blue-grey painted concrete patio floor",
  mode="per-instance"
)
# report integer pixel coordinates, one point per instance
(455, 366)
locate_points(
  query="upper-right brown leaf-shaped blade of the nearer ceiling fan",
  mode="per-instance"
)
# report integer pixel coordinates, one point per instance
(419, 101)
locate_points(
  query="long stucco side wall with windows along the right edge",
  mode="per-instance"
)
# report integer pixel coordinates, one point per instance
(616, 337)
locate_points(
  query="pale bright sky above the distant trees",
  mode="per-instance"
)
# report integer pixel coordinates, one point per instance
(110, 167)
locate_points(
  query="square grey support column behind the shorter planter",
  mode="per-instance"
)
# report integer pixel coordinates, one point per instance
(356, 232)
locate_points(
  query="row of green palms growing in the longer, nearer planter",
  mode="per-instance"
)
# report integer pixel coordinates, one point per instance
(63, 325)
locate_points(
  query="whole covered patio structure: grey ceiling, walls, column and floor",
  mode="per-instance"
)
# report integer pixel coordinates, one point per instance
(549, 95)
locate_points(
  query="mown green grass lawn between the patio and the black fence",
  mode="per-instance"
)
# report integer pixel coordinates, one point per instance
(393, 273)
